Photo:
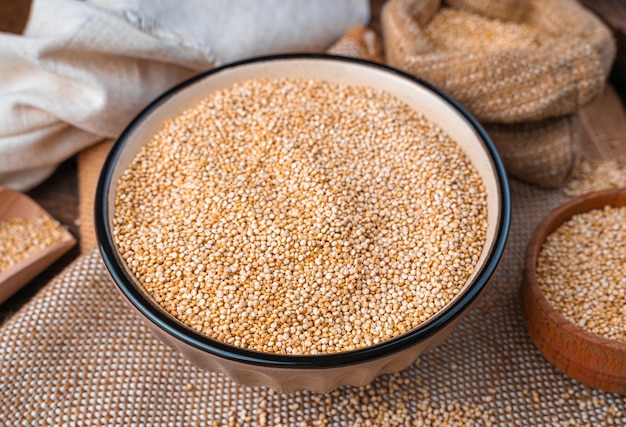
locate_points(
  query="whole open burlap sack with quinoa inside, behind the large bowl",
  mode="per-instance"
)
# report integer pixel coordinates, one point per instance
(522, 68)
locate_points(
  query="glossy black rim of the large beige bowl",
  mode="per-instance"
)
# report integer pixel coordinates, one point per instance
(178, 330)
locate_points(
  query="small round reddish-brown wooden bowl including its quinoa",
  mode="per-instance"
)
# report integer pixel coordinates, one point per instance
(574, 292)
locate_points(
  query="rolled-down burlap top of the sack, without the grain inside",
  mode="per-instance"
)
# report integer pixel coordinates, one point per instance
(566, 71)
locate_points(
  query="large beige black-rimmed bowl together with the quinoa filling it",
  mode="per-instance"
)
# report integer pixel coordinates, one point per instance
(303, 221)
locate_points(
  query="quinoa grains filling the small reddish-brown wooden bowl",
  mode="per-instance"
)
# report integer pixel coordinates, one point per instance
(581, 269)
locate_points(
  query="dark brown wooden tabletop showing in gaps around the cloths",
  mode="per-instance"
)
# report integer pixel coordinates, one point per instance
(59, 194)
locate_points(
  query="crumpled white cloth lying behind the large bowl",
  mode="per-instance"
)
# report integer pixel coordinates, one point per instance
(83, 69)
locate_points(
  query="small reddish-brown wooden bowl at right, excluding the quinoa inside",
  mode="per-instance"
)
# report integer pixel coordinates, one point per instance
(589, 358)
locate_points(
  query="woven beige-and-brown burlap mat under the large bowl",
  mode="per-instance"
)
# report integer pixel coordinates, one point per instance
(77, 355)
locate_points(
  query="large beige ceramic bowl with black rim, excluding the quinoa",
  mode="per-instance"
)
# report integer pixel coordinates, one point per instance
(320, 372)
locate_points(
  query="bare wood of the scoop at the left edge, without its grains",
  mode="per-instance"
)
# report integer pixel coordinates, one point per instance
(18, 205)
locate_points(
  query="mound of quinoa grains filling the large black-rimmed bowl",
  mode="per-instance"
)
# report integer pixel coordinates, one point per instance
(301, 217)
